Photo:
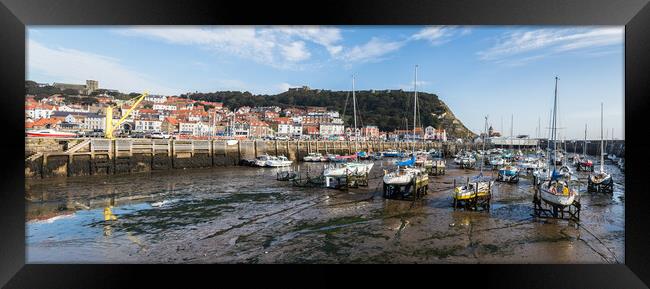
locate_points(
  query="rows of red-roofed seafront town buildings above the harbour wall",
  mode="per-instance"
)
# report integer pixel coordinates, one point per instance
(185, 118)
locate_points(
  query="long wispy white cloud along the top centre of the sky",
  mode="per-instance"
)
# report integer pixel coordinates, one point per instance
(288, 47)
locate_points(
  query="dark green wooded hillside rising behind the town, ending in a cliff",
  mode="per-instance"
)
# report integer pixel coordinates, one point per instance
(387, 109)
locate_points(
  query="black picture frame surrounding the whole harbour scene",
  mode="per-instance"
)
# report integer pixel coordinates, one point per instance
(16, 14)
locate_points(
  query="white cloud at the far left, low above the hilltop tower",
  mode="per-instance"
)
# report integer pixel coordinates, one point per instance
(69, 65)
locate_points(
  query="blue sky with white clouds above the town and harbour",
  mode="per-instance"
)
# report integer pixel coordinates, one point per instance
(504, 72)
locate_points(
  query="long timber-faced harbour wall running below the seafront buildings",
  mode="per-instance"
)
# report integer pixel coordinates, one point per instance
(51, 157)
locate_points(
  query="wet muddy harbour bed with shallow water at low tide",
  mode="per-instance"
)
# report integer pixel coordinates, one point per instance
(244, 215)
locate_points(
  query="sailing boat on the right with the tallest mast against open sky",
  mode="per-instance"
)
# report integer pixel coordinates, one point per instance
(556, 190)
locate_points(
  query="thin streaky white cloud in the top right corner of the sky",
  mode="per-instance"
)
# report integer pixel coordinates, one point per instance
(539, 43)
